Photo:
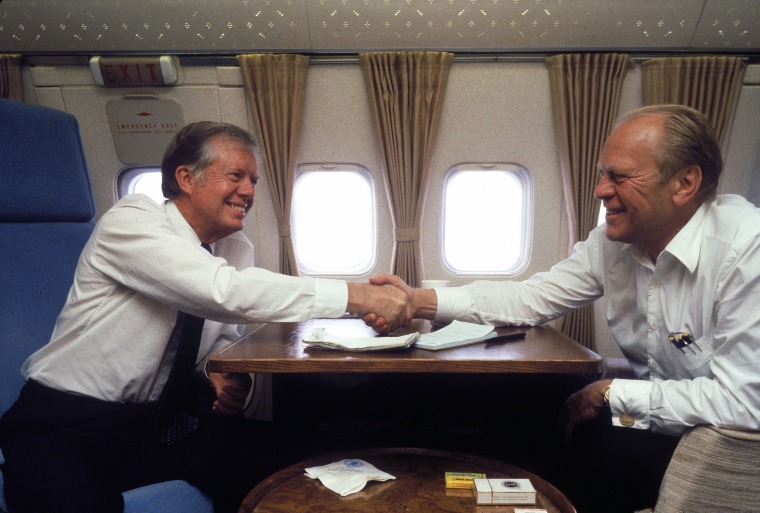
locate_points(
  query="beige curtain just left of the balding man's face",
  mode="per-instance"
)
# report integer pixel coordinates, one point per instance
(585, 92)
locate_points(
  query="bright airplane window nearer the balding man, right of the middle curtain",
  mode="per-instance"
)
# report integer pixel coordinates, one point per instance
(487, 218)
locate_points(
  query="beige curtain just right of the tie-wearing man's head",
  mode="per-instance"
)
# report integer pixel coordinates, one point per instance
(275, 86)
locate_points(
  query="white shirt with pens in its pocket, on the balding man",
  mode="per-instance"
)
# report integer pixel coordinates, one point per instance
(706, 283)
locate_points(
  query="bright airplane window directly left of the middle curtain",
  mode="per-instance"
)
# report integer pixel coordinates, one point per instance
(333, 219)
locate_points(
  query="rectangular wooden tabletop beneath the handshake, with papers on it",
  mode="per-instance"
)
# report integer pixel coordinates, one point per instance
(278, 348)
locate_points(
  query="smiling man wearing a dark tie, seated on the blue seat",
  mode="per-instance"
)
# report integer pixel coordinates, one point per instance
(82, 430)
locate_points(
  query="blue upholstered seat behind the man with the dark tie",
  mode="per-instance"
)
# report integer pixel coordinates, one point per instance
(46, 217)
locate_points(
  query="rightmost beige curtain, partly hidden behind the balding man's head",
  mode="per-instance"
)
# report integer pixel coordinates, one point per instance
(708, 84)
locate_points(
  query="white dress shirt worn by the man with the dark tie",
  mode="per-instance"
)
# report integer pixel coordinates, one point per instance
(142, 264)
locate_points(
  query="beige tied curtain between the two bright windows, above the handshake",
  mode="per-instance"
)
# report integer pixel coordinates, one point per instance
(406, 91)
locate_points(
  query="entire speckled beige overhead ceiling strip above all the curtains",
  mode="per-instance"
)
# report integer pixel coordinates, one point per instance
(176, 27)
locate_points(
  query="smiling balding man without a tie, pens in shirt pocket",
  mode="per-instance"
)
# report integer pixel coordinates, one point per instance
(679, 268)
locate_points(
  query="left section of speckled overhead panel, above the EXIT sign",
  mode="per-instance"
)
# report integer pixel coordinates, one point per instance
(165, 26)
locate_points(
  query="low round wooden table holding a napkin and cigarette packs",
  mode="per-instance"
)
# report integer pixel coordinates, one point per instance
(418, 487)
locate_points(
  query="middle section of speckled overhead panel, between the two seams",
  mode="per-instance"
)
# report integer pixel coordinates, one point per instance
(503, 25)
